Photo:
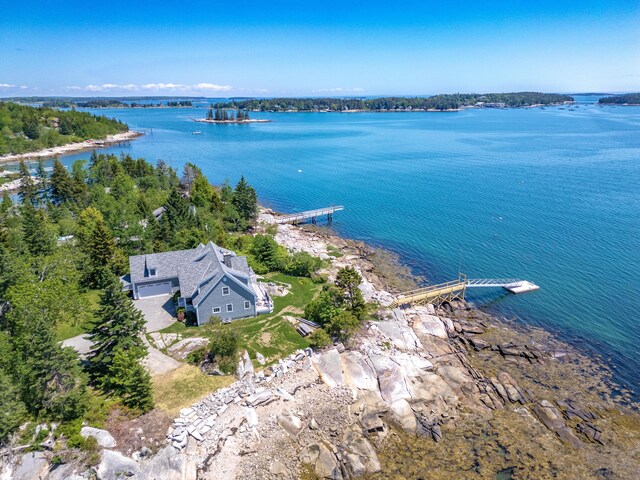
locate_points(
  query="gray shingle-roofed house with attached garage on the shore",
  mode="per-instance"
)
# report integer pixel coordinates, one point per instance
(211, 281)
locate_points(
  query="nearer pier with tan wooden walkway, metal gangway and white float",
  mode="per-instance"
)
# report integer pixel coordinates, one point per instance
(455, 289)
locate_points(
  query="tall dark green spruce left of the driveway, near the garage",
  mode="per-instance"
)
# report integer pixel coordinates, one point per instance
(119, 327)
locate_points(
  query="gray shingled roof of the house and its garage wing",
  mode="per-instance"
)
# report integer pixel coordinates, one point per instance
(202, 267)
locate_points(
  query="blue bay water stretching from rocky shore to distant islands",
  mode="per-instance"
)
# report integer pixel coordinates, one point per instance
(546, 195)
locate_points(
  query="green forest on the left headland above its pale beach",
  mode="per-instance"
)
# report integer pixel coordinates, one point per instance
(26, 129)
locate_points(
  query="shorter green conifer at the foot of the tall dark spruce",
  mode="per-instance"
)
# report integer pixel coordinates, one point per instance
(131, 382)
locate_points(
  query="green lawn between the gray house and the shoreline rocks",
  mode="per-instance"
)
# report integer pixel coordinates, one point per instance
(271, 335)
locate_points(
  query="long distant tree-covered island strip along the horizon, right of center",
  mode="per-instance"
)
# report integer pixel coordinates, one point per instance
(437, 102)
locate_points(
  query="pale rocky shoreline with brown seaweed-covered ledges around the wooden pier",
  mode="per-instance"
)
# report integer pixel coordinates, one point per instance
(422, 392)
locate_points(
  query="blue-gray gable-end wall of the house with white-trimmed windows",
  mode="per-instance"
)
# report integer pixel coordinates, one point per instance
(237, 296)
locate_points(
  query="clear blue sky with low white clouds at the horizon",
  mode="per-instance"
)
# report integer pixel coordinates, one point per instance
(293, 48)
